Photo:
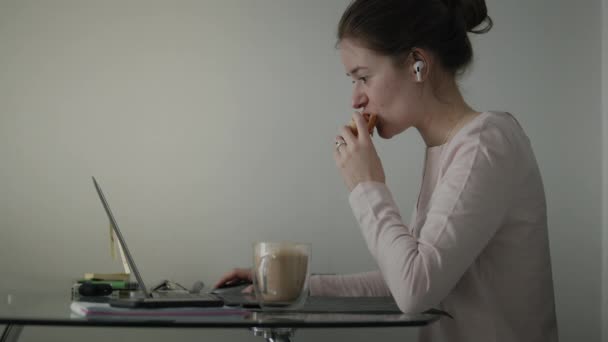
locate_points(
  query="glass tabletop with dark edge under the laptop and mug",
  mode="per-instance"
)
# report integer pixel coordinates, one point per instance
(18, 310)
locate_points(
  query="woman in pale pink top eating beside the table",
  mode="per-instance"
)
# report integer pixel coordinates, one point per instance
(477, 244)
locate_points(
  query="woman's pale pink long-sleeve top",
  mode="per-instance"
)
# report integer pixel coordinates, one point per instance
(477, 244)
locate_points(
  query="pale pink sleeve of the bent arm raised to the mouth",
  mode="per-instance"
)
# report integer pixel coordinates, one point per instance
(465, 211)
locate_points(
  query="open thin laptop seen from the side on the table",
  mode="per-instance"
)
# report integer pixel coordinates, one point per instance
(154, 299)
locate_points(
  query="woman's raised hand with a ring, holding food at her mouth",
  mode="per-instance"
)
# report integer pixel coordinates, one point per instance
(356, 157)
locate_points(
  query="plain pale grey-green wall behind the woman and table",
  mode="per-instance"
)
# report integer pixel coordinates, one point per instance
(210, 125)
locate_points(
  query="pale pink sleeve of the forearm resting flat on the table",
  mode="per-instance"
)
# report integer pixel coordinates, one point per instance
(367, 284)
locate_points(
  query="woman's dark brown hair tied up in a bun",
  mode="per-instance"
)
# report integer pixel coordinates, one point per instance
(394, 27)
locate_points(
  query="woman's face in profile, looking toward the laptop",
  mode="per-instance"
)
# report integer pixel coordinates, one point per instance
(380, 87)
